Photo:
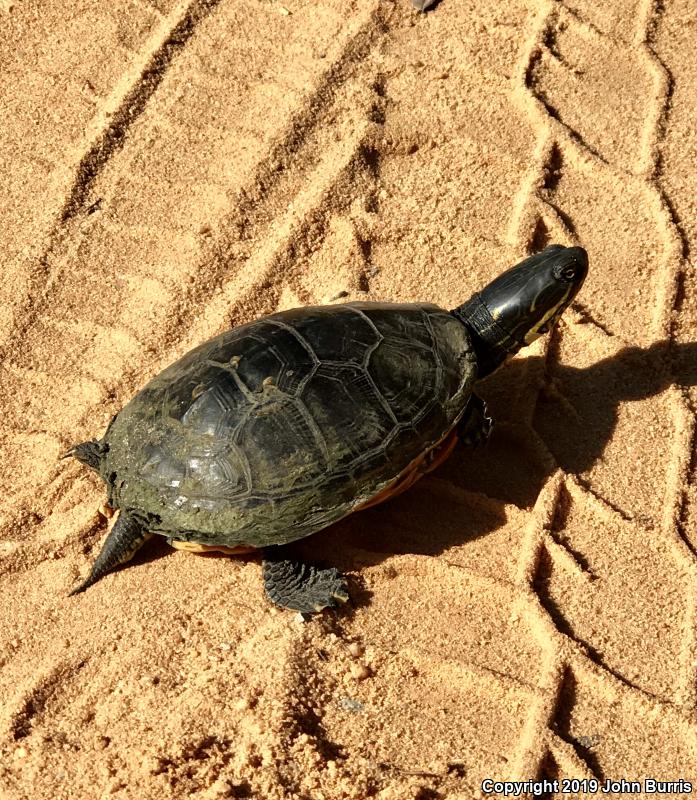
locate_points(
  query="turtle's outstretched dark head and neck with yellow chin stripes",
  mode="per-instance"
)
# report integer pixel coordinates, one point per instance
(523, 303)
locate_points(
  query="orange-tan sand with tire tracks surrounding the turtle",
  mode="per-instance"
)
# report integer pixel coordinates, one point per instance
(528, 611)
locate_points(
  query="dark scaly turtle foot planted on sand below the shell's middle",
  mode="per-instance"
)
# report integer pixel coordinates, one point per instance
(291, 583)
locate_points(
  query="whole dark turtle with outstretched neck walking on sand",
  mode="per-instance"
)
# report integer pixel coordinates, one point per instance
(275, 429)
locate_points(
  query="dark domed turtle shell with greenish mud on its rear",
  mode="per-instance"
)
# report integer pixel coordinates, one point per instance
(275, 429)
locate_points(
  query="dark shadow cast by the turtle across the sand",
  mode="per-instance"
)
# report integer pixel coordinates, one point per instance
(574, 418)
